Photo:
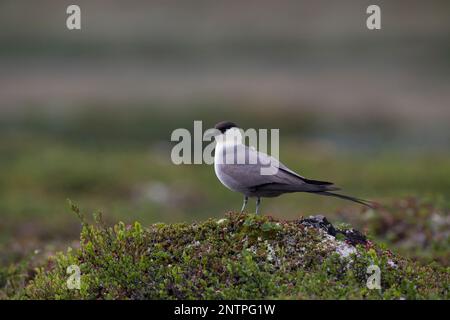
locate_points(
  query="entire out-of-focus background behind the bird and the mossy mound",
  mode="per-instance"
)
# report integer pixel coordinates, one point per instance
(87, 115)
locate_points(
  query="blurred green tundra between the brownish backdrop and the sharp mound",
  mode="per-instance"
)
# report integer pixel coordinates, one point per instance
(118, 162)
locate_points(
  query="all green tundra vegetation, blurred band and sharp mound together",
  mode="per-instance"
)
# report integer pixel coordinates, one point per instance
(120, 165)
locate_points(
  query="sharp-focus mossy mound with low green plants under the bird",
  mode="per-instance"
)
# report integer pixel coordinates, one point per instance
(240, 257)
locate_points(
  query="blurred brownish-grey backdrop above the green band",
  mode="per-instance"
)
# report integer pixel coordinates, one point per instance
(313, 55)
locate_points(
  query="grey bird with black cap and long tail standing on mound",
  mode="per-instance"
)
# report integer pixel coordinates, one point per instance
(247, 178)
